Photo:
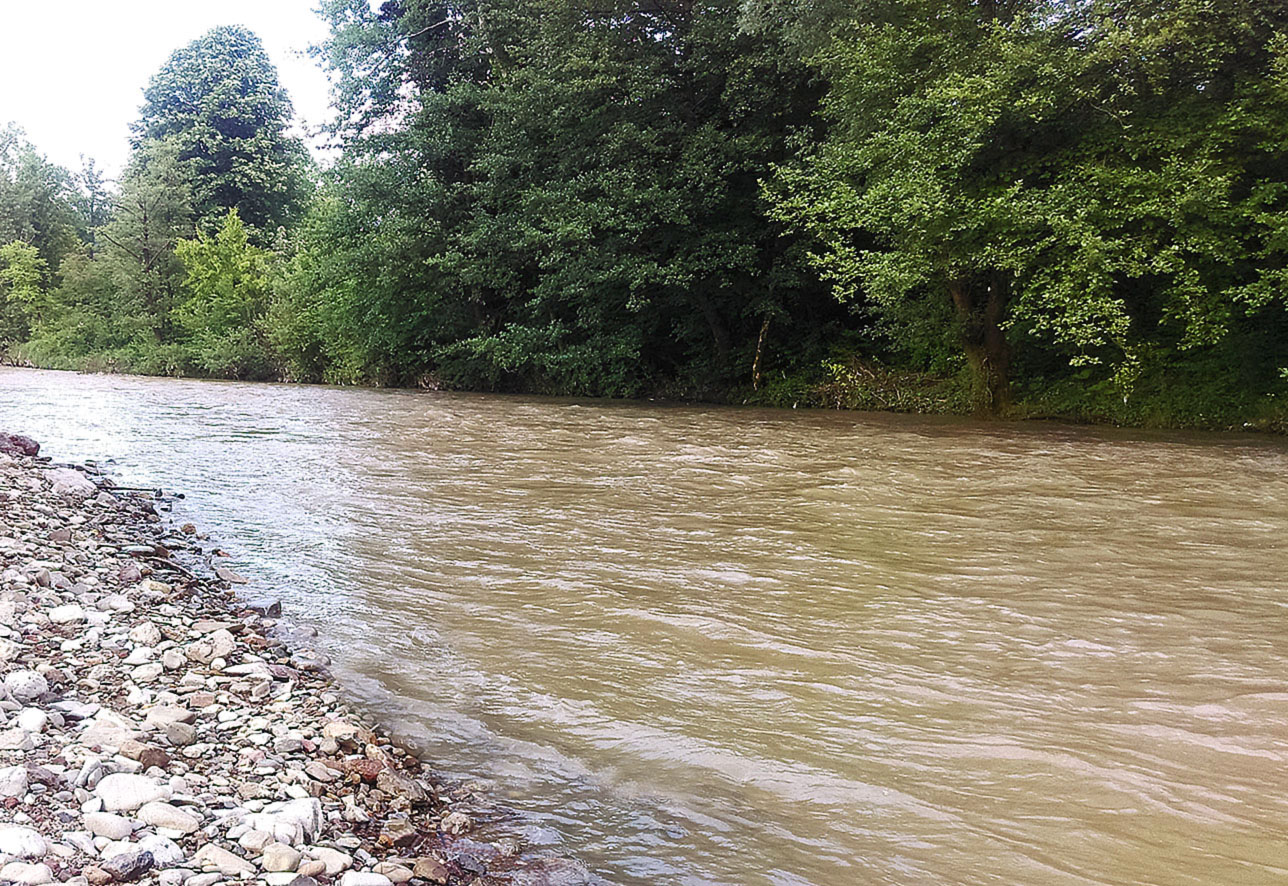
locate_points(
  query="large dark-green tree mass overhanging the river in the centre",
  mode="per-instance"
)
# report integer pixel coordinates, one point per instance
(565, 198)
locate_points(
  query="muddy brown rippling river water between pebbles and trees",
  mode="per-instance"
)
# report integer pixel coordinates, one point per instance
(709, 646)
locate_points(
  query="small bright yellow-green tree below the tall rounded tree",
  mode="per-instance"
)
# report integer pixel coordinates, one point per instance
(226, 290)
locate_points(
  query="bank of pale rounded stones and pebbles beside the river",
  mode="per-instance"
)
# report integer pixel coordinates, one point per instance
(155, 730)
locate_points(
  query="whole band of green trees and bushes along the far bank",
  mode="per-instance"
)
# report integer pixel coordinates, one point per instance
(1014, 207)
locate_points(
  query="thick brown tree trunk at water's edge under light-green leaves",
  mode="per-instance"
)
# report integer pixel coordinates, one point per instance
(985, 341)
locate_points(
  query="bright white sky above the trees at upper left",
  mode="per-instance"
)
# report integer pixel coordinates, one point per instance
(73, 71)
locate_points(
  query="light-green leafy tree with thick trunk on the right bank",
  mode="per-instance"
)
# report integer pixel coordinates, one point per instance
(1103, 177)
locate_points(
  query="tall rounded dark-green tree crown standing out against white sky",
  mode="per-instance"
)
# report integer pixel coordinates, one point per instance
(220, 101)
